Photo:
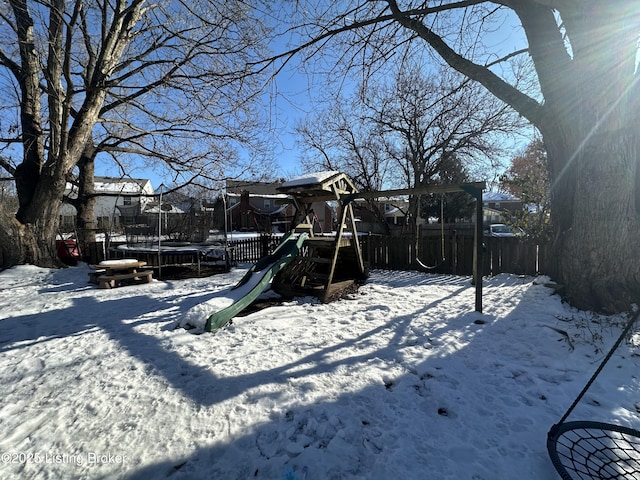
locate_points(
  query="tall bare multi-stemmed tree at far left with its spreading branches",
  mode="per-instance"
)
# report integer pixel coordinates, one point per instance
(167, 81)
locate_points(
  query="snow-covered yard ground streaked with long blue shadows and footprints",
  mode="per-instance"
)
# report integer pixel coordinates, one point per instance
(403, 380)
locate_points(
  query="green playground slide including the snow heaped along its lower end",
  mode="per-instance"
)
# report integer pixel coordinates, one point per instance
(245, 292)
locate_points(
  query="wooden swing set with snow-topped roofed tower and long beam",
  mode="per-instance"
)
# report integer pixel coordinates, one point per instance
(330, 266)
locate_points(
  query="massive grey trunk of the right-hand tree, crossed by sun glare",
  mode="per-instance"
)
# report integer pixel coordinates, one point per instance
(592, 141)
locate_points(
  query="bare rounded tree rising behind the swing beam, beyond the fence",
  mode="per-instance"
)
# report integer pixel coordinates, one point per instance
(428, 121)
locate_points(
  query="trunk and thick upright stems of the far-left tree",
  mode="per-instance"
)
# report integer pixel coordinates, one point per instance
(30, 236)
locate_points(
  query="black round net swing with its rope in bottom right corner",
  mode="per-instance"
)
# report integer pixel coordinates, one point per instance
(586, 450)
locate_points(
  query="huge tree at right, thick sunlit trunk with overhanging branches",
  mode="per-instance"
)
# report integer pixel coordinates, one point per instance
(586, 107)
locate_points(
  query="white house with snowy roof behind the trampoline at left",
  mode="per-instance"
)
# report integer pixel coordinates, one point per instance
(119, 201)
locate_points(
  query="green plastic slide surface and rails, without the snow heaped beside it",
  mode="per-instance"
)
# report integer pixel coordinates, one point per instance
(256, 280)
